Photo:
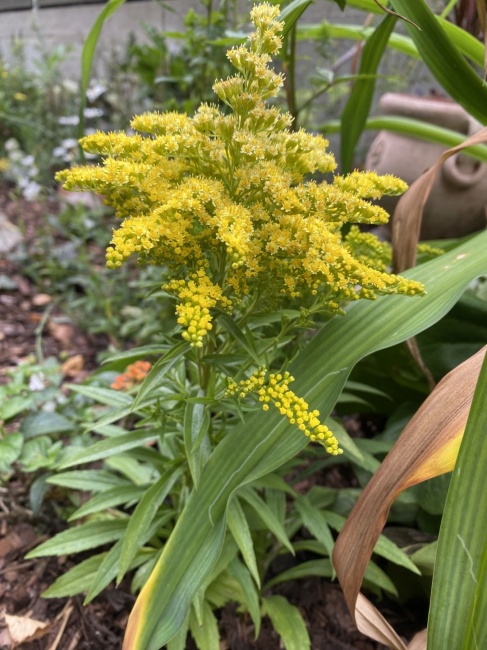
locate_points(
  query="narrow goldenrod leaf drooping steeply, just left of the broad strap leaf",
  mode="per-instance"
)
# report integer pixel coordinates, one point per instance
(142, 517)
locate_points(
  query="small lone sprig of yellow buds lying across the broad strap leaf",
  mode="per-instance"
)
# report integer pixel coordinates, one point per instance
(276, 391)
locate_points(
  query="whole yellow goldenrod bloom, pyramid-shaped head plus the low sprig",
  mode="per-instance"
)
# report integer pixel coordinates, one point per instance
(226, 203)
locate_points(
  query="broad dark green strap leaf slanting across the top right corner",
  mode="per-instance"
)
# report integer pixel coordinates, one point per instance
(444, 59)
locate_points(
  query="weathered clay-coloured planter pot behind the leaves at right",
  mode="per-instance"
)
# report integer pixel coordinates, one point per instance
(457, 204)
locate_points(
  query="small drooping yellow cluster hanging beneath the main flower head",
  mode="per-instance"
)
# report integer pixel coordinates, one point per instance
(196, 297)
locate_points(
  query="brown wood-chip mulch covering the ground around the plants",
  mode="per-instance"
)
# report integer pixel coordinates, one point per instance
(67, 625)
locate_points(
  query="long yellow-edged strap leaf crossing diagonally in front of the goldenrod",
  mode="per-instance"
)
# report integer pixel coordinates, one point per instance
(266, 441)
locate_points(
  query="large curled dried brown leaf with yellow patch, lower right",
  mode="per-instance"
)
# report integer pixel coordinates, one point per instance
(427, 447)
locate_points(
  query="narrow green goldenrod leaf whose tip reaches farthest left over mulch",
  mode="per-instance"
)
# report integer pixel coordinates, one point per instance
(81, 538)
